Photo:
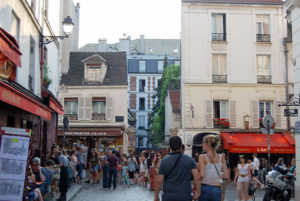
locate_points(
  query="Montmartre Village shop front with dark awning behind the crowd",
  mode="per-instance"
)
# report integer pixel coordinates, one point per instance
(101, 138)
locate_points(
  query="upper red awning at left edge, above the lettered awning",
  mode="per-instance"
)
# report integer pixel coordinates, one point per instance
(9, 47)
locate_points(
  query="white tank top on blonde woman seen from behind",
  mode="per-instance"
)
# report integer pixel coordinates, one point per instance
(211, 175)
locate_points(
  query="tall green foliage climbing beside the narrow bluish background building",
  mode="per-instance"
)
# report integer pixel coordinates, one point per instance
(169, 80)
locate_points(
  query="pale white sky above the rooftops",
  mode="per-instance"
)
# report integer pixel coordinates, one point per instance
(110, 19)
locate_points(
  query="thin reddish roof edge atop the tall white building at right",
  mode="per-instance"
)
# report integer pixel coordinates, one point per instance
(263, 2)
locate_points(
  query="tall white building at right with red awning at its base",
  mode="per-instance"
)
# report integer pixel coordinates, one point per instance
(233, 72)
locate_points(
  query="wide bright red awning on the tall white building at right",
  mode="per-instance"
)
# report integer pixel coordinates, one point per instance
(258, 143)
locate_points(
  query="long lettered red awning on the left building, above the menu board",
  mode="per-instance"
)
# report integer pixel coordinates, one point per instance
(13, 97)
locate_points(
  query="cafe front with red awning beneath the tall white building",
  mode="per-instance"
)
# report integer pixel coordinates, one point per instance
(281, 145)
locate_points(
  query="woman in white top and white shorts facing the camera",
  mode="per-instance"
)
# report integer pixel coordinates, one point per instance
(242, 179)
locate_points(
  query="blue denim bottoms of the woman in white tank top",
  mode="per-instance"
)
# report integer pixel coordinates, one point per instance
(210, 193)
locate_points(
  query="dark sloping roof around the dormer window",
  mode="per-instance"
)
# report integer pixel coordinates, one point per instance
(116, 73)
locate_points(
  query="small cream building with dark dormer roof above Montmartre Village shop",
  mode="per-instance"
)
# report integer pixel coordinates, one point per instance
(94, 95)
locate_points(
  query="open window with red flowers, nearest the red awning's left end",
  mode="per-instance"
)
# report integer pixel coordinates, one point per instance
(221, 114)
